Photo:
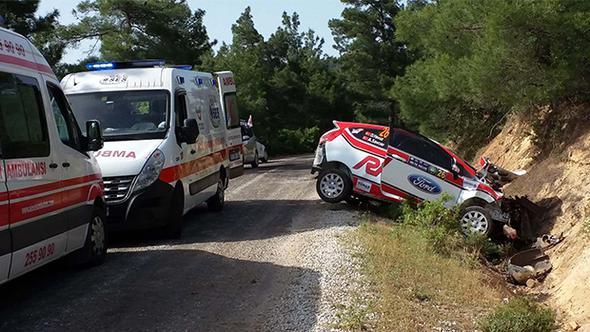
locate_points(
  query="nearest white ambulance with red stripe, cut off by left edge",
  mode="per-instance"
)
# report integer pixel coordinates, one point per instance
(51, 194)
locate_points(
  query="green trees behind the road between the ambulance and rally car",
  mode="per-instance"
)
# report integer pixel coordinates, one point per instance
(286, 83)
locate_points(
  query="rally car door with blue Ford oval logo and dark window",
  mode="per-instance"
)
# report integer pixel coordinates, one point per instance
(418, 169)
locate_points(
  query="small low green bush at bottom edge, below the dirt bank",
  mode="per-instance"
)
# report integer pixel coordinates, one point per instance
(519, 315)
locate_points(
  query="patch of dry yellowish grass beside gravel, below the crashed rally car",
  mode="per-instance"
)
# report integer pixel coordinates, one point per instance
(418, 288)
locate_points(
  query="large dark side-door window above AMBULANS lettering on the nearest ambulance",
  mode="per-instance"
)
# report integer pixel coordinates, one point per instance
(23, 128)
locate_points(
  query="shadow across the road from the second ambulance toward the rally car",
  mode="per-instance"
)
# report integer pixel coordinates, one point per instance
(240, 221)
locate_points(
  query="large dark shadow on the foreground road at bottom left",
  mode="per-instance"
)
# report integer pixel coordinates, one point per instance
(161, 290)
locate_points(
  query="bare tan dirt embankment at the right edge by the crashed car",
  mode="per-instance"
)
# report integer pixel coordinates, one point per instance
(554, 148)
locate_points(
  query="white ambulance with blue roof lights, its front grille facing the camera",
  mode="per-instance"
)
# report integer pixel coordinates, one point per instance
(166, 136)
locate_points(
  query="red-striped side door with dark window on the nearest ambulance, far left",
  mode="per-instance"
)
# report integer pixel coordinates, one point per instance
(33, 175)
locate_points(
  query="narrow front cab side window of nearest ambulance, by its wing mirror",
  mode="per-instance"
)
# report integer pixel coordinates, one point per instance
(67, 128)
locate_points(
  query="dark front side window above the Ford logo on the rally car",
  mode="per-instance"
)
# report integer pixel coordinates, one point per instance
(421, 148)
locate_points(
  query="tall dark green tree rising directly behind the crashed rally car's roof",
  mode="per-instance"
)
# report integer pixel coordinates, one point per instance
(371, 57)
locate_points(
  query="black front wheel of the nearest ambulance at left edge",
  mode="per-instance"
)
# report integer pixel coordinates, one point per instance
(94, 251)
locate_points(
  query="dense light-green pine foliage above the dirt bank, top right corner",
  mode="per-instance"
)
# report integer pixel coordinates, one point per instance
(482, 59)
